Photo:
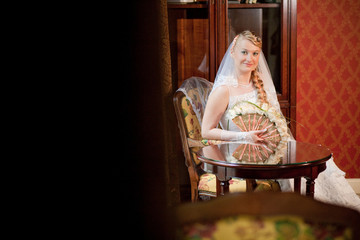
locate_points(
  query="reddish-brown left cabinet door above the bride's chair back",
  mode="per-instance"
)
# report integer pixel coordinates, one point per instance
(191, 29)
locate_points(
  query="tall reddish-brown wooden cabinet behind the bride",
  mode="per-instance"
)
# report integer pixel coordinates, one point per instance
(201, 32)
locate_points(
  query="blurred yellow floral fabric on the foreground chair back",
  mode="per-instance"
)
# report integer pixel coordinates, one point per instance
(265, 227)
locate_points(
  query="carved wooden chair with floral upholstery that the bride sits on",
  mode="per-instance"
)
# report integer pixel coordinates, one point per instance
(202, 184)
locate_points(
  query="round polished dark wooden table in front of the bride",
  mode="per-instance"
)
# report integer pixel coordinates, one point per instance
(294, 160)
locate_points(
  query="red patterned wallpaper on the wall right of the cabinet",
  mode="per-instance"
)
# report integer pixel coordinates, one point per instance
(328, 78)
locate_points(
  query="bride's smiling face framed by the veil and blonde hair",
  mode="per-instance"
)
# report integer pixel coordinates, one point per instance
(246, 55)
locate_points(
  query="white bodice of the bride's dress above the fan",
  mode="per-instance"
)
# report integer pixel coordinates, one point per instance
(227, 124)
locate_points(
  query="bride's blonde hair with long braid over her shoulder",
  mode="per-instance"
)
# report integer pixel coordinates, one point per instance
(255, 76)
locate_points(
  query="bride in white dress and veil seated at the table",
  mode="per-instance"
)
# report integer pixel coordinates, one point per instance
(244, 75)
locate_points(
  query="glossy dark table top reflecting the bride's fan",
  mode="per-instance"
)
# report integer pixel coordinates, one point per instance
(261, 155)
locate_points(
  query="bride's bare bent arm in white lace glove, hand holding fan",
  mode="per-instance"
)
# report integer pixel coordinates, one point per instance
(214, 110)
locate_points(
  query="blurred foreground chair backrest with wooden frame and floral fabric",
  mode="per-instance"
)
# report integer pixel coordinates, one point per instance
(267, 215)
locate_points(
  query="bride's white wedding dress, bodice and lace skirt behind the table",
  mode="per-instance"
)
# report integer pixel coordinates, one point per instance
(330, 186)
